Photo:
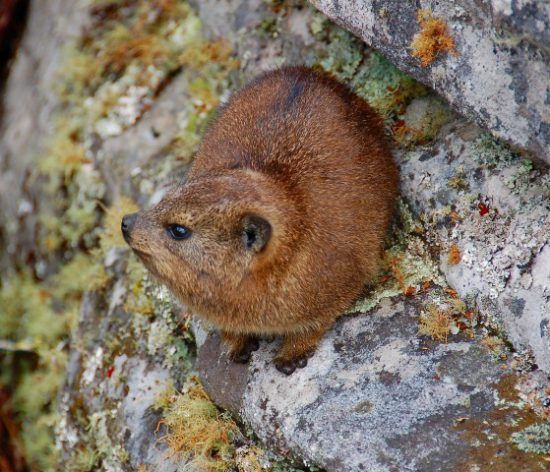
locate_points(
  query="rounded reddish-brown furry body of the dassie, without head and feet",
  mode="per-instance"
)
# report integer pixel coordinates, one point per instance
(324, 148)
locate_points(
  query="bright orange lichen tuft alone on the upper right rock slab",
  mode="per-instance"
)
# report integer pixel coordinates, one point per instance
(432, 40)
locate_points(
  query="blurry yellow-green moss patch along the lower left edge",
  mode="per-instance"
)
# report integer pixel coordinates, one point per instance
(28, 317)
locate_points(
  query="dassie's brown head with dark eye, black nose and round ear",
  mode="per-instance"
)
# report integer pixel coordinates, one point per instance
(207, 238)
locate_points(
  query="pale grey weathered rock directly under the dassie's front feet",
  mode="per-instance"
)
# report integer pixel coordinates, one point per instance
(376, 397)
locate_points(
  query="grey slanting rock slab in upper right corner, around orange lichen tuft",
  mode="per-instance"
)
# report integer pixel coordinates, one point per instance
(499, 74)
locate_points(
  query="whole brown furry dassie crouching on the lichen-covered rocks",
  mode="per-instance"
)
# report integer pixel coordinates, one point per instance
(282, 219)
